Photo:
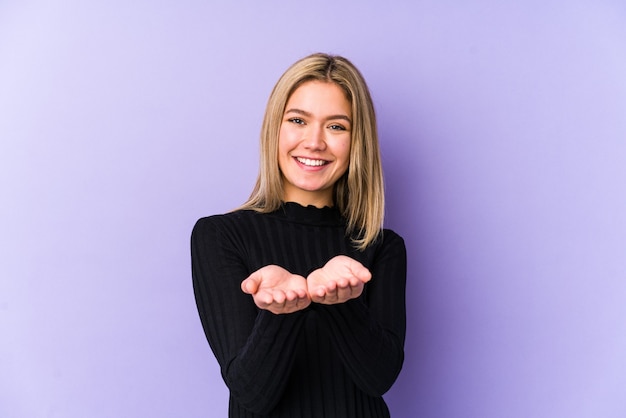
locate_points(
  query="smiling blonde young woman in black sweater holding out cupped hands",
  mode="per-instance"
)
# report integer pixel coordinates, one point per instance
(301, 292)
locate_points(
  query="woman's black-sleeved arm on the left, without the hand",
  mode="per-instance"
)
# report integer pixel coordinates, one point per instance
(253, 347)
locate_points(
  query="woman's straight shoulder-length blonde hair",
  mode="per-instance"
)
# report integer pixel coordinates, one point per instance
(359, 193)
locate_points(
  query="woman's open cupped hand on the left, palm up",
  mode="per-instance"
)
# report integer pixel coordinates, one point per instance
(277, 290)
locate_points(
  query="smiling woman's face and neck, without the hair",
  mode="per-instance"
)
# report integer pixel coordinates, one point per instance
(314, 143)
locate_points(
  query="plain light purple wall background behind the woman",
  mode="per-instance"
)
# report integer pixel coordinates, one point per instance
(503, 131)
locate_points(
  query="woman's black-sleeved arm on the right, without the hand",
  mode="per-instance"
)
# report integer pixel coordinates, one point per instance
(369, 331)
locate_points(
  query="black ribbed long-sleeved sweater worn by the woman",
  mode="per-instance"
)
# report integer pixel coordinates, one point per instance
(323, 361)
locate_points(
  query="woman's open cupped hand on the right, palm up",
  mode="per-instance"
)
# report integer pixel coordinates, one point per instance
(341, 279)
